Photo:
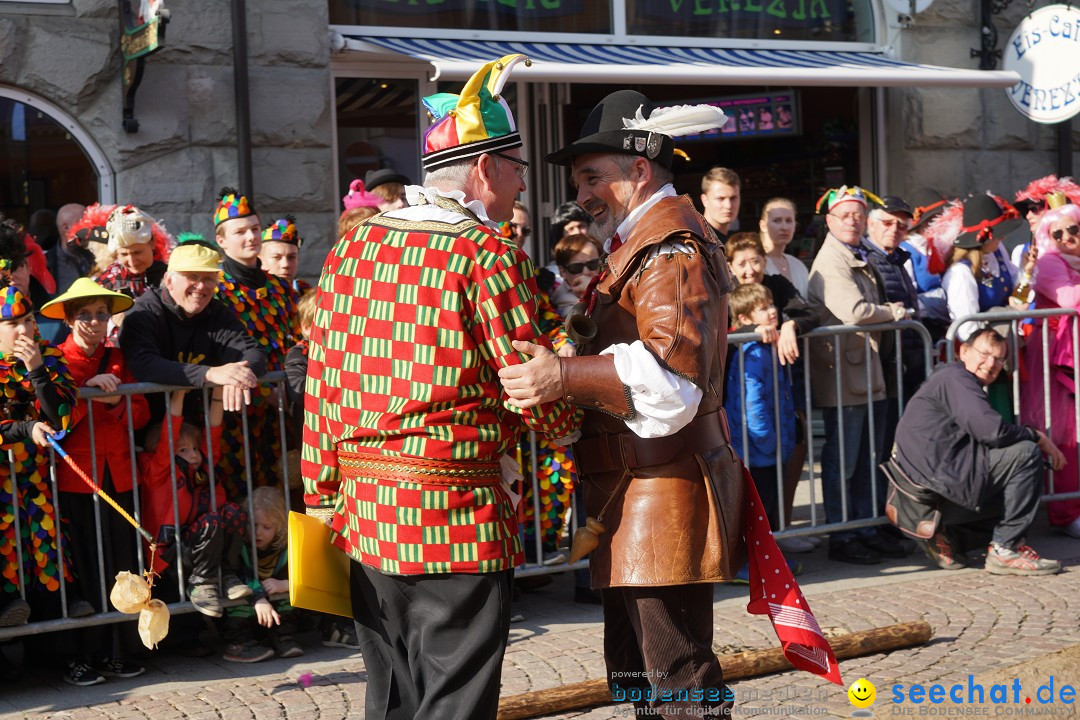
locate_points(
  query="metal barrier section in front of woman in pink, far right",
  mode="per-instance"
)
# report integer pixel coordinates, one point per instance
(1041, 320)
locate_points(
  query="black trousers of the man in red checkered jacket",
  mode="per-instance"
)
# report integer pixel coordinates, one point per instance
(433, 645)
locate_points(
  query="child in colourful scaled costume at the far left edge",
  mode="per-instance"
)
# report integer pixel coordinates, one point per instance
(38, 397)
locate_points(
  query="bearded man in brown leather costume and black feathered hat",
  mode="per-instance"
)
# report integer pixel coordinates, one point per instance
(658, 470)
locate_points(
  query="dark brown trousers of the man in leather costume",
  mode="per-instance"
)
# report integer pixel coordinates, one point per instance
(658, 646)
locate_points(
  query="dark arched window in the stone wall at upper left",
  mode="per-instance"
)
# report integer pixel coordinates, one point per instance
(44, 169)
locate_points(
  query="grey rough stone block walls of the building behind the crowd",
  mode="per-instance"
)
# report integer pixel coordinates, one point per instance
(953, 141)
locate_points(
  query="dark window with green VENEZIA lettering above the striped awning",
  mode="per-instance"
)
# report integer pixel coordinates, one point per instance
(835, 21)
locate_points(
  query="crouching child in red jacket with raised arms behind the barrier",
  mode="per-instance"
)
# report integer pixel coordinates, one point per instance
(212, 529)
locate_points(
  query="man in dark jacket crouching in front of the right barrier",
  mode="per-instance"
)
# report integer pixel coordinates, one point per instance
(953, 443)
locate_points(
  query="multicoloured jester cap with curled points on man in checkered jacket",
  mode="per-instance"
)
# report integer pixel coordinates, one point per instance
(475, 123)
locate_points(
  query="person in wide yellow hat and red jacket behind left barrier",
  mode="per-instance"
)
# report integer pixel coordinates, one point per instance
(100, 449)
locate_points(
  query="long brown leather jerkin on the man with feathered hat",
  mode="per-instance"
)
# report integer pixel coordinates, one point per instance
(678, 522)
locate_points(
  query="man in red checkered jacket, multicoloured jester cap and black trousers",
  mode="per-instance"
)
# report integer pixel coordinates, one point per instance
(406, 422)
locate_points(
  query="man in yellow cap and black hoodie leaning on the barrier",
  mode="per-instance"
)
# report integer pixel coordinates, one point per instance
(181, 335)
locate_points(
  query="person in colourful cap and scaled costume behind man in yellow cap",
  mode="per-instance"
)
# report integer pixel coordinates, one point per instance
(266, 305)
